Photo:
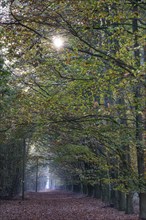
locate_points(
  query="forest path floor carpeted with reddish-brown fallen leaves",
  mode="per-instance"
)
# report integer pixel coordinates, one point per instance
(59, 205)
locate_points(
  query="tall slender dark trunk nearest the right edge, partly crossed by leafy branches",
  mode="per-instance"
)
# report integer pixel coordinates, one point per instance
(139, 119)
